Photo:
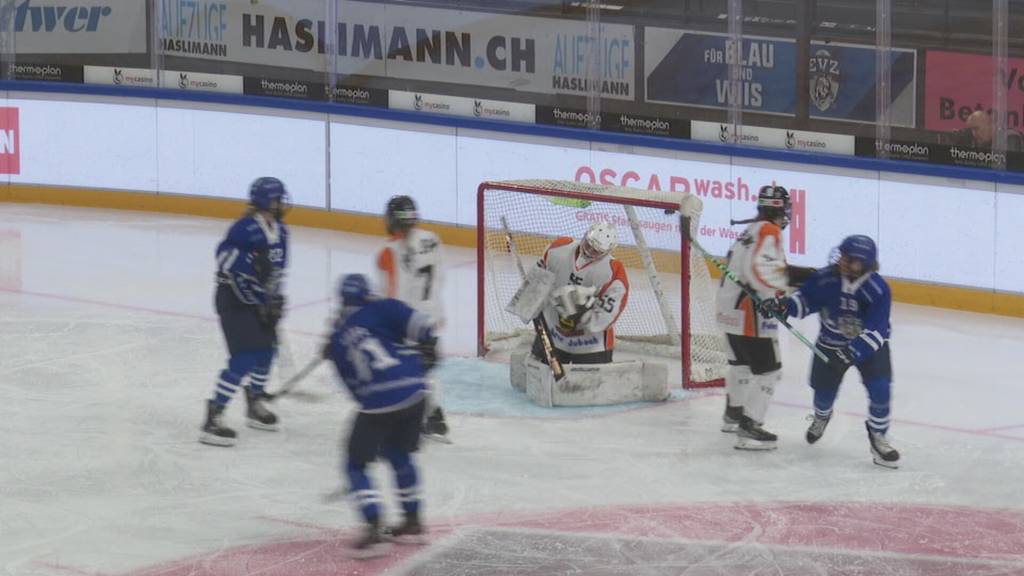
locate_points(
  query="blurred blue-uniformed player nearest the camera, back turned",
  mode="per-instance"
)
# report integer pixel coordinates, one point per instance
(389, 380)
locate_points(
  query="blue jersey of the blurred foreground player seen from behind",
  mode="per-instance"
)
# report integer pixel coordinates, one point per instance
(369, 352)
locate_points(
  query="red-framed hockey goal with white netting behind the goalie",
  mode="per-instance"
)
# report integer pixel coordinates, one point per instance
(671, 309)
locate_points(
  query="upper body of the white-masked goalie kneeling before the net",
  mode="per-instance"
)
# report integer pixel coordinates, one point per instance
(591, 293)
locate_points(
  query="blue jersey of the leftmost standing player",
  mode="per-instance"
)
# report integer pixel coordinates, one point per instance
(252, 259)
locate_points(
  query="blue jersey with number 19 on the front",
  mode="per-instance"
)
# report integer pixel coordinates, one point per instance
(854, 315)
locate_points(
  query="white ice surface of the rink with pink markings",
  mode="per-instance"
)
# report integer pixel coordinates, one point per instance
(110, 347)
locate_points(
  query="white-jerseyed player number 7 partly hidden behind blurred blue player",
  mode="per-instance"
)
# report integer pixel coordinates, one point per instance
(410, 270)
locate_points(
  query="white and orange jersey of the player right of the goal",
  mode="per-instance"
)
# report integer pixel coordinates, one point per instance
(759, 261)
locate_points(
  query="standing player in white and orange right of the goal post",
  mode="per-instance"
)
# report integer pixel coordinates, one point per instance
(758, 259)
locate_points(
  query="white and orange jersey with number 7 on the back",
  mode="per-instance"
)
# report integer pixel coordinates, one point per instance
(410, 270)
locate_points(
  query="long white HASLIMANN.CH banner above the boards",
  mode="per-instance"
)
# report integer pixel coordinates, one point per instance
(523, 54)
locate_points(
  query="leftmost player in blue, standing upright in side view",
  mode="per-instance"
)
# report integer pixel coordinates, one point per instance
(251, 265)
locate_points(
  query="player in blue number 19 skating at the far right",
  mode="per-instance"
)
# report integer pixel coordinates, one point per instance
(854, 304)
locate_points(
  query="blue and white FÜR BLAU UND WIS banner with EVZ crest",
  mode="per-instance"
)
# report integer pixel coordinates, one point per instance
(693, 69)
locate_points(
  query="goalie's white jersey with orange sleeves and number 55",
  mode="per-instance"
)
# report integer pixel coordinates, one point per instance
(595, 332)
